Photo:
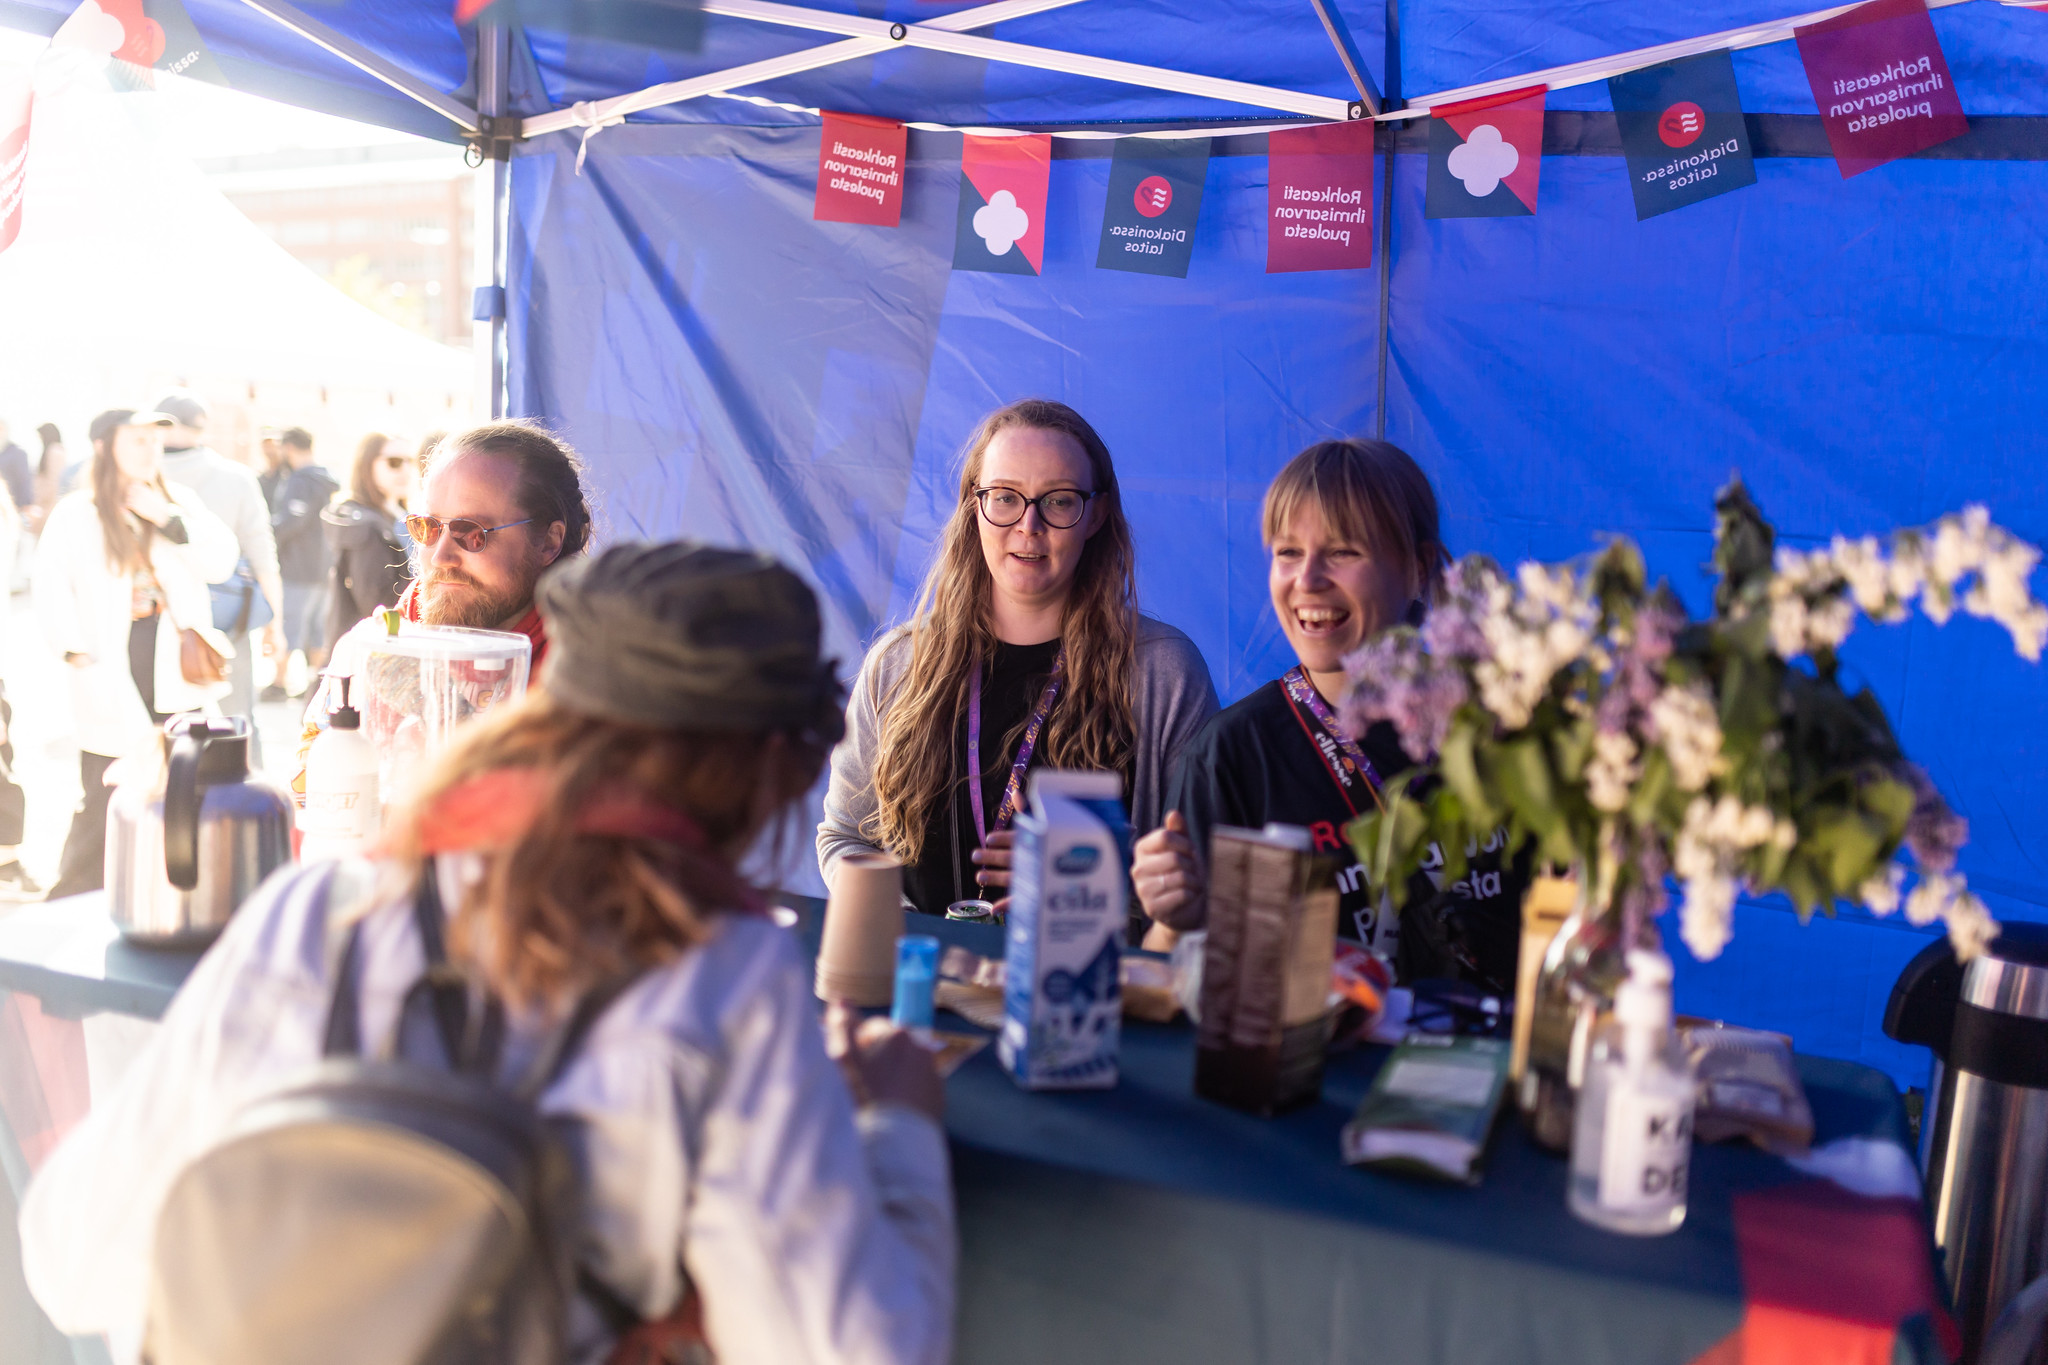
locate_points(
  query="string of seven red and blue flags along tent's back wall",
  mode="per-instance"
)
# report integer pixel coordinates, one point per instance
(1877, 73)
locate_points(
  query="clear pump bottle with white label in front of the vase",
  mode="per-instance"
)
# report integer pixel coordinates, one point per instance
(1631, 1139)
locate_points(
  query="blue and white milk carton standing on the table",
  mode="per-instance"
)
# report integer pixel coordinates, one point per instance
(1062, 1000)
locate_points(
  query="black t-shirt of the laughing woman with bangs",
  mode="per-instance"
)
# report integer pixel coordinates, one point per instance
(1256, 764)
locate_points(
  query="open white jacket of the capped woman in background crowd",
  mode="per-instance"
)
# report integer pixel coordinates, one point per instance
(85, 607)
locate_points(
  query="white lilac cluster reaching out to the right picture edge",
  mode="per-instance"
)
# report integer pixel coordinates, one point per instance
(1965, 562)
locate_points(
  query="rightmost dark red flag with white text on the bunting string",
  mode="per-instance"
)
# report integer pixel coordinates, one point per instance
(1881, 83)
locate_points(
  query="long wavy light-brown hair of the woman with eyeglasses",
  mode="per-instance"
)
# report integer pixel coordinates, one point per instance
(1093, 723)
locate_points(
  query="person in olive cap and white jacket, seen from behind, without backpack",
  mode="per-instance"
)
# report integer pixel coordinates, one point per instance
(591, 832)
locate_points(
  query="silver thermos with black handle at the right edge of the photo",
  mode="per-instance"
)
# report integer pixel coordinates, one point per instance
(1986, 1129)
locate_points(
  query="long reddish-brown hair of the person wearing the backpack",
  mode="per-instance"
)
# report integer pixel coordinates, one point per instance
(562, 910)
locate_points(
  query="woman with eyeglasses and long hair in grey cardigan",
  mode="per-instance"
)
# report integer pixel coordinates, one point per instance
(1027, 652)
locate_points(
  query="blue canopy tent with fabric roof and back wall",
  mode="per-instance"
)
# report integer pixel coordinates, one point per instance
(1863, 351)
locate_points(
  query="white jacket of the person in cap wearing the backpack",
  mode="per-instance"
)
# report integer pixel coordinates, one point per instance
(714, 1131)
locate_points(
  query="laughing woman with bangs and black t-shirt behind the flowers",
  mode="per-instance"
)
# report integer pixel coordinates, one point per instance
(1355, 543)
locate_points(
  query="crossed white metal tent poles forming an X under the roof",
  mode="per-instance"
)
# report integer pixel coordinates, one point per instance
(947, 34)
